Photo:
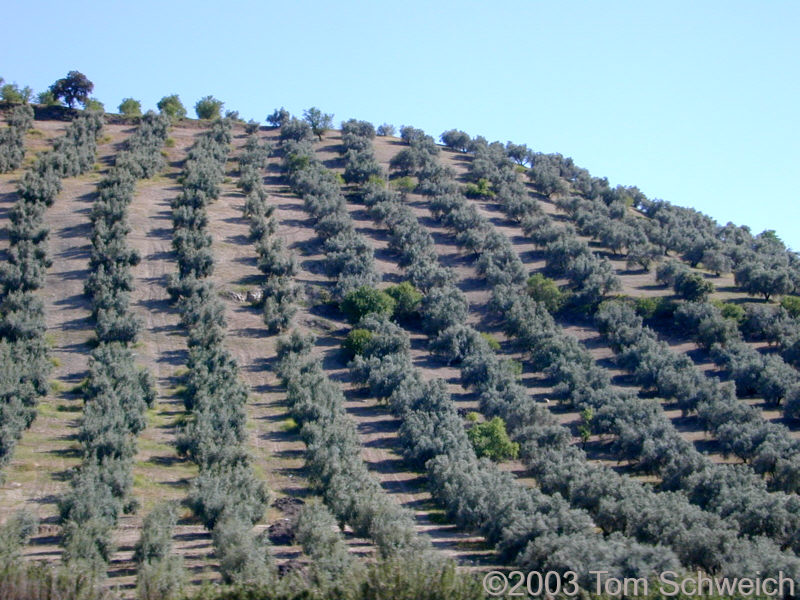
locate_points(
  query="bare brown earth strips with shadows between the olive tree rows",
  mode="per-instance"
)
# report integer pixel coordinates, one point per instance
(39, 471)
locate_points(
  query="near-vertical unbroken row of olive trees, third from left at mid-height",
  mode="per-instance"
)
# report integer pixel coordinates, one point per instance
(226, 495)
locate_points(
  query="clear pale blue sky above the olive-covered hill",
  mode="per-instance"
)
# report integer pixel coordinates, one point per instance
(694, 102)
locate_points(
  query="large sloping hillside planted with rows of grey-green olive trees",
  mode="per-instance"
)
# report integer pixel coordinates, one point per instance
(653, 396)
